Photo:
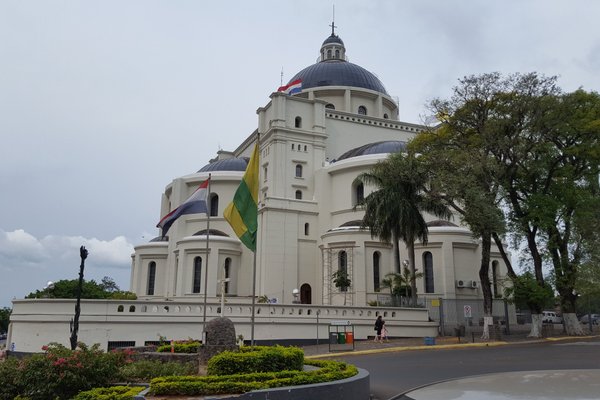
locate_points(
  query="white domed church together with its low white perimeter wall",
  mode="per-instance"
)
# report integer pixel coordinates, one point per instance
(313, 146)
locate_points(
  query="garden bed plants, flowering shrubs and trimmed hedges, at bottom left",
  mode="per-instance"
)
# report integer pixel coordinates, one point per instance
(90, 374)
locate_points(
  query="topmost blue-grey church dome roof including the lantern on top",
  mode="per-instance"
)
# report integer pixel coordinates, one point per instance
(333, 69)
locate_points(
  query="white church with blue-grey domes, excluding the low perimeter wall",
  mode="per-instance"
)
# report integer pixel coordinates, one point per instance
(313, 146)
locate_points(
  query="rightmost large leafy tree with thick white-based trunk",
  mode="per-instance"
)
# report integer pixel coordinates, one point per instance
(550, 165)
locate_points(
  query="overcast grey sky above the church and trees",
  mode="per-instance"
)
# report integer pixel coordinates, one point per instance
(103, 103)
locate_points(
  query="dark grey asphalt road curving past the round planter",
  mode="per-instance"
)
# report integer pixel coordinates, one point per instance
(395, 373)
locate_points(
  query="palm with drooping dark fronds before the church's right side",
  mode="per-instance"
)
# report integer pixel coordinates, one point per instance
(394, 210)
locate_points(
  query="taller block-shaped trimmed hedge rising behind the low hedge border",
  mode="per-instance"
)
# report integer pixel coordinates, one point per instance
(256, 359)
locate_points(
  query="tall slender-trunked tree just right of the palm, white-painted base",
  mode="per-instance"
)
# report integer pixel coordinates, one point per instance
(462, 170)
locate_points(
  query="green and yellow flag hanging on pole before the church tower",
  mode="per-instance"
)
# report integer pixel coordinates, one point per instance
(242, 212)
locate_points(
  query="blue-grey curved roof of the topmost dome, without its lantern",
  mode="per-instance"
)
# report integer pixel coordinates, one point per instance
(338, 73)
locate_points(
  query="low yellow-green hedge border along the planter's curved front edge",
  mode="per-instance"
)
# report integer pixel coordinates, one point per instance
(241, 383)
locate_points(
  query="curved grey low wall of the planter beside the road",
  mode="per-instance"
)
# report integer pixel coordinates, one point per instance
(354, 388)
